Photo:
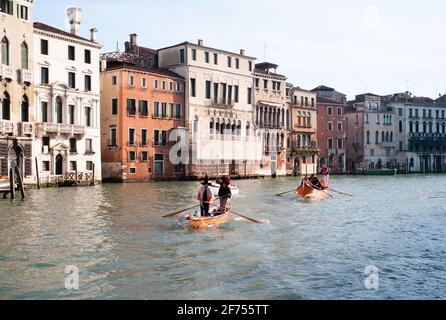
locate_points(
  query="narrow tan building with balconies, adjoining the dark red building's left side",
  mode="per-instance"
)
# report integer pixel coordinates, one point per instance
(303, 151)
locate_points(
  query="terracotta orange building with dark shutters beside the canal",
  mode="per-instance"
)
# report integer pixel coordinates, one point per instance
(140, 106)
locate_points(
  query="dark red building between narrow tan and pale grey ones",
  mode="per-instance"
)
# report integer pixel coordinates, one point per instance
(331, 129)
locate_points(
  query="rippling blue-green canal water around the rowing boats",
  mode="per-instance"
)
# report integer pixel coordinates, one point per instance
(114, 235)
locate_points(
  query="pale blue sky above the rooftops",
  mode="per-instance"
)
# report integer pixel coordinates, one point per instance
(353, 45)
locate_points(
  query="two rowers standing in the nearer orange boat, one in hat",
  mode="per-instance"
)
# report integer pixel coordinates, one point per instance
(206, 197)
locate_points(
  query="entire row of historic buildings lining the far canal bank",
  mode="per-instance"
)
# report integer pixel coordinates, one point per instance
(69, 112)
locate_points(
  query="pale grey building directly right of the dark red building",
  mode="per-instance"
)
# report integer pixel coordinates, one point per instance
(371, 143)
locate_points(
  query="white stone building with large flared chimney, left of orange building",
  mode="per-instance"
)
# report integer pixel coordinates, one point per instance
(67, 102)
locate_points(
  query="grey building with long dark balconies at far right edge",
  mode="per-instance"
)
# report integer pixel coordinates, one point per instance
(420, 134)
